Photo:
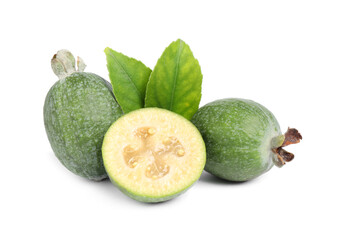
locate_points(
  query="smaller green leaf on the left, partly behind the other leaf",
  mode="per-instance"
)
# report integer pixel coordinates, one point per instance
(129, 78)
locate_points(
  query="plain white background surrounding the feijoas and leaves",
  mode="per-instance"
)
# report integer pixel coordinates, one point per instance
(282, 54)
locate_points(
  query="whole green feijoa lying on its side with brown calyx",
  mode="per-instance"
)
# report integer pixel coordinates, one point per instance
(243, 139)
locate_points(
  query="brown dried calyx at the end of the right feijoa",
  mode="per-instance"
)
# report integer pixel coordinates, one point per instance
(292, 136)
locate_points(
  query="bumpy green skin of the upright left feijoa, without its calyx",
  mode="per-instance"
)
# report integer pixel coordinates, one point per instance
(78, 110)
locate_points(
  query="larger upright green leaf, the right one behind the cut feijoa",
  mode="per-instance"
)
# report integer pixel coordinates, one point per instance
(176, 81)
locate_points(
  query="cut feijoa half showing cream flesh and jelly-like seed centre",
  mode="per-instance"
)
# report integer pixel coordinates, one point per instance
(153, 154)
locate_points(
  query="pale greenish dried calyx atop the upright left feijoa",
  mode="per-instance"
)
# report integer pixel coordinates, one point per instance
(63, 64)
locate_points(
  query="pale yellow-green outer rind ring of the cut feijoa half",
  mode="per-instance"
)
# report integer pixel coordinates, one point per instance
(143, 197)
